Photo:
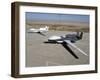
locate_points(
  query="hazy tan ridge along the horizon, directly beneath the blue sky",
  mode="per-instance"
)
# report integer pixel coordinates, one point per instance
(66, 23)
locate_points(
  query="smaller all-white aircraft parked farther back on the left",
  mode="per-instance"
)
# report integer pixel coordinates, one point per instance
(40, 30)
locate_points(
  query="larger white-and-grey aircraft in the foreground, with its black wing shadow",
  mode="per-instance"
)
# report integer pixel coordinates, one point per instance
(67, 40)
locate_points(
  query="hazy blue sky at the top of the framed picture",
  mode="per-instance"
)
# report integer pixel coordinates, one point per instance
(56, 17)
